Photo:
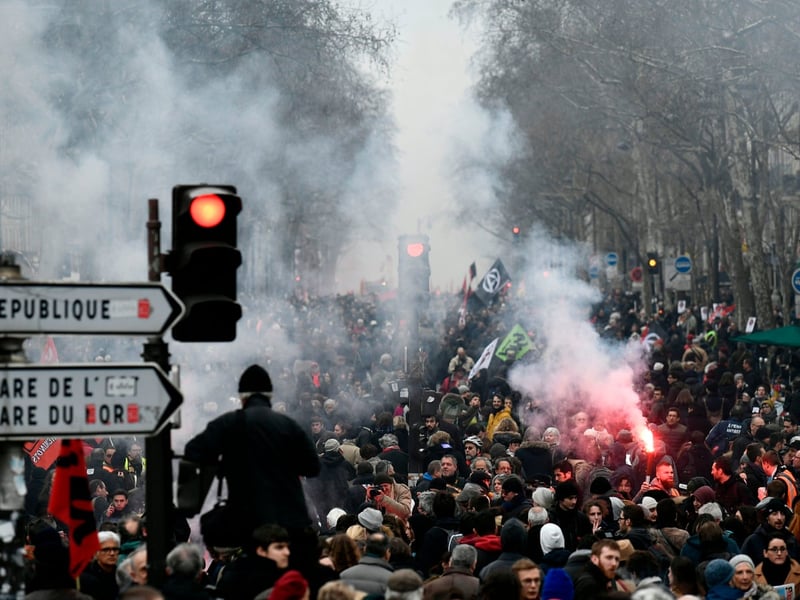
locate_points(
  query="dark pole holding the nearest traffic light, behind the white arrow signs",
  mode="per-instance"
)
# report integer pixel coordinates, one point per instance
(158, 448)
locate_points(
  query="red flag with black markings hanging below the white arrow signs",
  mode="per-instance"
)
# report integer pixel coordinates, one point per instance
(71, 504)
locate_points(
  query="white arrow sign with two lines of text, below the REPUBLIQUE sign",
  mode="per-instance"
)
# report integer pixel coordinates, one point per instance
(84, 400)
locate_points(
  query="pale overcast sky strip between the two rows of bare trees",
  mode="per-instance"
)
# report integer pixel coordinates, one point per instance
(437, 125)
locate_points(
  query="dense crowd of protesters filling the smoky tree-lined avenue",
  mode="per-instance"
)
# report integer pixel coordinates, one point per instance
(353, 471)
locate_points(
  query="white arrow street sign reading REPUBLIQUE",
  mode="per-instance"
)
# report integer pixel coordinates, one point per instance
(28, 307)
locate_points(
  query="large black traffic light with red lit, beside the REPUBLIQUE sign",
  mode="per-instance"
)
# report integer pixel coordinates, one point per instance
(203, 261)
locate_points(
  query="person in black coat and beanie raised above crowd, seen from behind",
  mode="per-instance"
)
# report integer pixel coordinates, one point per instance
(261, 454)
